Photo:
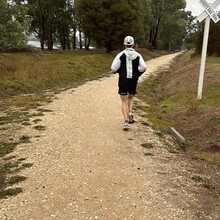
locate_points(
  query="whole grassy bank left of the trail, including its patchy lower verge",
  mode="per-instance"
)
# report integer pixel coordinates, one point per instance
(28, 80)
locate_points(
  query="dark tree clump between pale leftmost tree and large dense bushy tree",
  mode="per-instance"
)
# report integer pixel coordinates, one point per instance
(50, 21)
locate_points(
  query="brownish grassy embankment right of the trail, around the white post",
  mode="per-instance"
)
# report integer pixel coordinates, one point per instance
(172, 99)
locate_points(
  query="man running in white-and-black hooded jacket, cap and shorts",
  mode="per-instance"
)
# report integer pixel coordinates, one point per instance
(130, 65)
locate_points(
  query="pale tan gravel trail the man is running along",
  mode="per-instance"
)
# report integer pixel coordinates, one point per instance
(87, 167)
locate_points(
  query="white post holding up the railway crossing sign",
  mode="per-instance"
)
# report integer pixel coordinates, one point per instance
(203, 59)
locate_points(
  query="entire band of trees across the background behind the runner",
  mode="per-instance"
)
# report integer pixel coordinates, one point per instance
(157, 24)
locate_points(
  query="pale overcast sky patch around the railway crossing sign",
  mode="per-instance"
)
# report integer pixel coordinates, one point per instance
(195, 6)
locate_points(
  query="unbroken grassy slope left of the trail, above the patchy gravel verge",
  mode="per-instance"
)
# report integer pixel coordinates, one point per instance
(28, 73)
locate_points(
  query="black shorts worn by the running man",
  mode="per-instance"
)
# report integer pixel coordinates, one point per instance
(127, 86)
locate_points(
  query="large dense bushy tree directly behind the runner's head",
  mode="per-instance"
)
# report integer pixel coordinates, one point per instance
(107, 22)
